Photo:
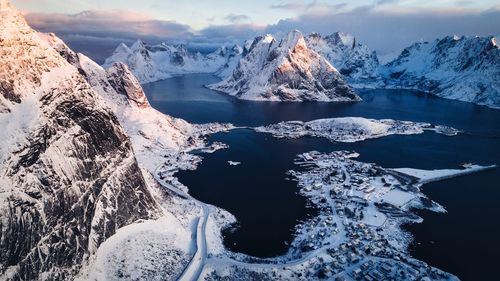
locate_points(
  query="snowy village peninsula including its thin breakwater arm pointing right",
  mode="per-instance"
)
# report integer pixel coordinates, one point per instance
(358, 231)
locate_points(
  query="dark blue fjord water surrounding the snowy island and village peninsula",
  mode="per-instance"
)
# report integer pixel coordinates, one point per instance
(464, 241)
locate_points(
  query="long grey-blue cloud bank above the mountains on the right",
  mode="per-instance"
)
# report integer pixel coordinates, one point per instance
(390, 30)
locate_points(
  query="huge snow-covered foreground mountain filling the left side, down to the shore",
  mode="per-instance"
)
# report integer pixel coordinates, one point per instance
(79, 151)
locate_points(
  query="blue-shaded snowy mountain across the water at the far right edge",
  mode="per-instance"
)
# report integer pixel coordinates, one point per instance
(460, 68)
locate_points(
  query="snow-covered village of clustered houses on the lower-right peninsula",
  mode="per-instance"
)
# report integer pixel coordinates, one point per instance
(361, 209)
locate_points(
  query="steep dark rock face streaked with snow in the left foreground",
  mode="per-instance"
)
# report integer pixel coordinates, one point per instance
(68, 175)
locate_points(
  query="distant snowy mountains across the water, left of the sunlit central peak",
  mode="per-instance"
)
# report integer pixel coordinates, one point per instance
(156, 62)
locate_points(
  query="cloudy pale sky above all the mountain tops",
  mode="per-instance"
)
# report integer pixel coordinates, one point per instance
(96, 27)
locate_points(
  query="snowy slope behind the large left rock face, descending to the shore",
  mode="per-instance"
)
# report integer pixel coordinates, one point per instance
(153, 134)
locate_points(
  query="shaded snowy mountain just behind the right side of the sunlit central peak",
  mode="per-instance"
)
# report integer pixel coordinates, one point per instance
(355, 61)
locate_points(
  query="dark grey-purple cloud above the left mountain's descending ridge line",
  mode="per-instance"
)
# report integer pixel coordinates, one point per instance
(97, 33)
